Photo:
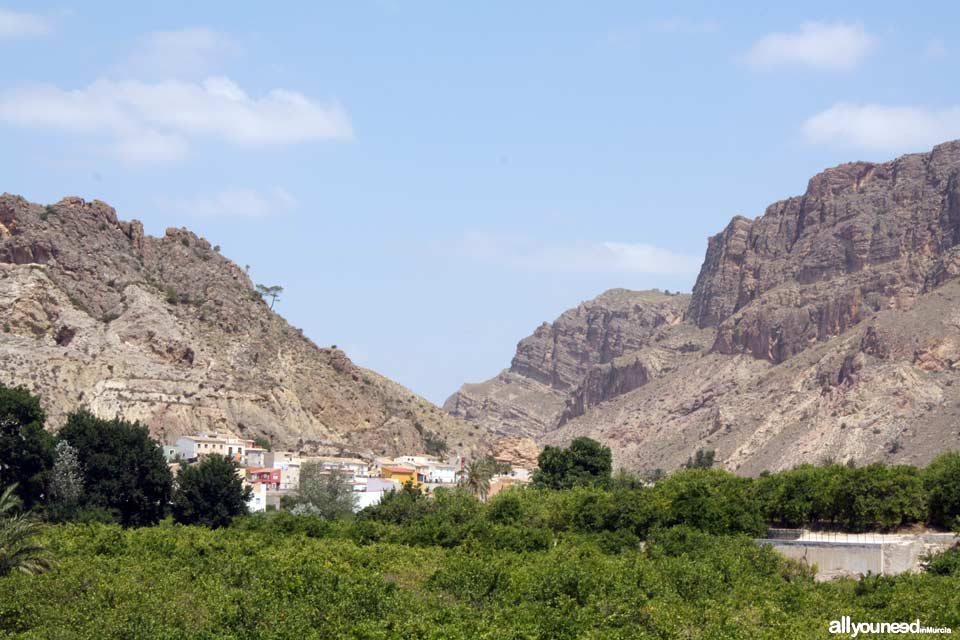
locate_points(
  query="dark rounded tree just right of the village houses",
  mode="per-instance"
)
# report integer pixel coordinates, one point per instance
(584, 462)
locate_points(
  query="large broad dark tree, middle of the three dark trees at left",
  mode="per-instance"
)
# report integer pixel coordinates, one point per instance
(124, 470)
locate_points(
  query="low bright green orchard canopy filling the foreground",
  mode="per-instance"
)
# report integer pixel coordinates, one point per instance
(285, 576)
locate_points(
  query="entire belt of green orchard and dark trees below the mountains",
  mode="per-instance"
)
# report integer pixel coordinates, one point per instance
(580, 554)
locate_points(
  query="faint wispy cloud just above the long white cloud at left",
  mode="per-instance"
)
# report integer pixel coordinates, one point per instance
(192, 52)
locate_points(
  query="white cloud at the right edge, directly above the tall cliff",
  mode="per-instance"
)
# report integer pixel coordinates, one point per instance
(881, 127)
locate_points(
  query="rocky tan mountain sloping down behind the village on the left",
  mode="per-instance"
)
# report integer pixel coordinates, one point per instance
(166, 330)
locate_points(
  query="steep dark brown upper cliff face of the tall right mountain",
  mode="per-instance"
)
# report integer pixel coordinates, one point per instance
(864, 237)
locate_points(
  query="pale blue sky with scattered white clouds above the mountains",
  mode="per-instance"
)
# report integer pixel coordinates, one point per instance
(431, 180)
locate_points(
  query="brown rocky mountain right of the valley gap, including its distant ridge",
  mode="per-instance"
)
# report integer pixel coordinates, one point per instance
(827, 328)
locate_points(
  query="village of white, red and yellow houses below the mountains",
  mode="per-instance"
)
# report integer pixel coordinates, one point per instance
(272, 475)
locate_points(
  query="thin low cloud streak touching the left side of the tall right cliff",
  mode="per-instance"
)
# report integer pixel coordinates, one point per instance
(581, 257)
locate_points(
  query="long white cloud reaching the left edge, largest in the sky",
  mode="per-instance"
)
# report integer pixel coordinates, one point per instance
(155, 121)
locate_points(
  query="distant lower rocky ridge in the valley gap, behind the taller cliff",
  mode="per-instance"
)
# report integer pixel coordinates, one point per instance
(603, 348)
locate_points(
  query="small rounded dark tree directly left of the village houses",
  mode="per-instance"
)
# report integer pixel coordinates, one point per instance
(210, 493)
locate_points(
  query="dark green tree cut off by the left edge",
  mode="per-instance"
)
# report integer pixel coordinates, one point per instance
(26, 448)
